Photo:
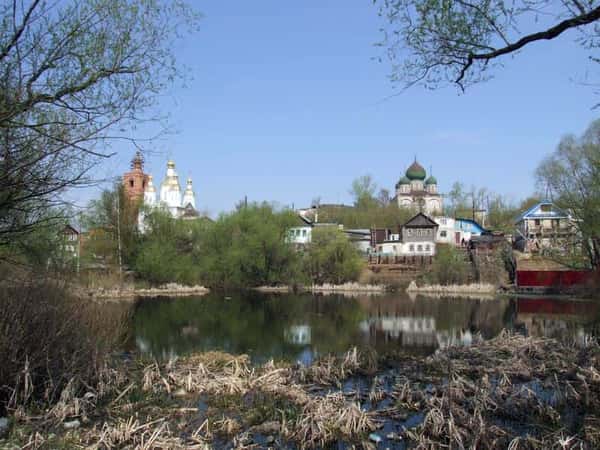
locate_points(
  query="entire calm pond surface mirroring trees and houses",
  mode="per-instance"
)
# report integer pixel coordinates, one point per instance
(302, 327)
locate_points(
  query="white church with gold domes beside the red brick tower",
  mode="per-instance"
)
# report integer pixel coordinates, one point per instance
(171, 198)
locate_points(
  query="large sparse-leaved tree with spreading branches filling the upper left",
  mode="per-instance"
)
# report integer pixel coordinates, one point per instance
(76, 76)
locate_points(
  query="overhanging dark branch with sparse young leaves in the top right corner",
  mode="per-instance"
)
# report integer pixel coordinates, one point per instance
(460, 42)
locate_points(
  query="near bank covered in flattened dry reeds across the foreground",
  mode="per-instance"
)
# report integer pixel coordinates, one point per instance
(509, 392)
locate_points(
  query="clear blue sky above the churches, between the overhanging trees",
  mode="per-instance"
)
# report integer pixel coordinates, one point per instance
(287, 102)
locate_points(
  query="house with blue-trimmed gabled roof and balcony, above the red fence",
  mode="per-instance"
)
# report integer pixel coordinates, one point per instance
(544, 225)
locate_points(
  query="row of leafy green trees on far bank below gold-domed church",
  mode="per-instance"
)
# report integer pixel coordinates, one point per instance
(244, 248)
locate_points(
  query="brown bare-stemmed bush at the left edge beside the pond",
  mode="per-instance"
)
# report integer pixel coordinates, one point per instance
(49, 338)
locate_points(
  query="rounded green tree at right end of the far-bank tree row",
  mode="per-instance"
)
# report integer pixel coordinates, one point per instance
(332, 258)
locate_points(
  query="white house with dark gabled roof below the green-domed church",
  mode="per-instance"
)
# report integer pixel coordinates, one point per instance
(417, 237)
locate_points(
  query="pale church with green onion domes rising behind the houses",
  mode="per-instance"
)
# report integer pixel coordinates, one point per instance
(417, 191)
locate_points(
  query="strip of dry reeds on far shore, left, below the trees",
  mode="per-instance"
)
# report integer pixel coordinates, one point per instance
(130, 292)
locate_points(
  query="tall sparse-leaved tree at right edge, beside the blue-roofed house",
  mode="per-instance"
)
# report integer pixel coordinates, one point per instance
(571, 174)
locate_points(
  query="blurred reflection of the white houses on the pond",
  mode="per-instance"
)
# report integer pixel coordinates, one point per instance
(413, 332)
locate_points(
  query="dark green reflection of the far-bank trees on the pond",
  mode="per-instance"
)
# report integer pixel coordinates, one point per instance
(248, 322)
